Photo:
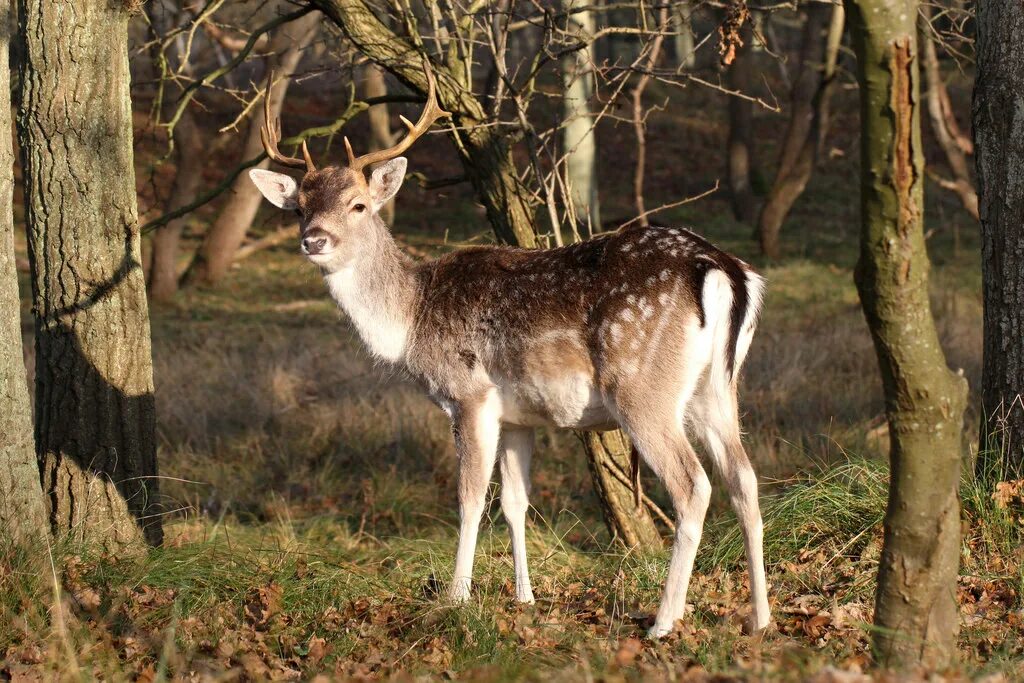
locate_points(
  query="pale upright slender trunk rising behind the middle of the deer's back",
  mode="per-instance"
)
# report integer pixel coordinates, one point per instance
(579, 142)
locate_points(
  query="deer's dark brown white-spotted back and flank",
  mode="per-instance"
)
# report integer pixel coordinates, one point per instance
(565, 322)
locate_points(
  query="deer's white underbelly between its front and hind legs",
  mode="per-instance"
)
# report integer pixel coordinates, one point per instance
(571, 402)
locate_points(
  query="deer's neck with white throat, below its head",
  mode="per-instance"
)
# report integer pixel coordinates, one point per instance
(378, 292)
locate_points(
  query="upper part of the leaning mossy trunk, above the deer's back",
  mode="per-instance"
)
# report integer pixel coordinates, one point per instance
(483, 150)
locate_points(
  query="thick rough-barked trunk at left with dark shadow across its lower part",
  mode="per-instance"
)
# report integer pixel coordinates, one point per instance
(96, 423)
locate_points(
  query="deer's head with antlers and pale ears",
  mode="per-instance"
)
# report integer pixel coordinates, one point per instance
(337, 206)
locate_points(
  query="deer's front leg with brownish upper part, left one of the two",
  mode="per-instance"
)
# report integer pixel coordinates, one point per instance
(478, 430)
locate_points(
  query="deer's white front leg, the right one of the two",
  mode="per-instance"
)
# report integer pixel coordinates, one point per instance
(518, 448)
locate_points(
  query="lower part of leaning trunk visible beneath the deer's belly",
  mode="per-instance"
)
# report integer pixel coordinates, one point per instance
(611, 469)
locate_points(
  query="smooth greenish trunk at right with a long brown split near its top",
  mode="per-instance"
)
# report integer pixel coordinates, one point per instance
(916, 606)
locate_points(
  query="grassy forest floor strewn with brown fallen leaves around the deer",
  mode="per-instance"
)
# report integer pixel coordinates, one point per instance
(312, 498)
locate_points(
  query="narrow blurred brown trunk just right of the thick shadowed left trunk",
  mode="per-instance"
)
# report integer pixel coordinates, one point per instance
(163, 272)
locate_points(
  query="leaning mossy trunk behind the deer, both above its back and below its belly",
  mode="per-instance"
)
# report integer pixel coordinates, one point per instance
(488, 160)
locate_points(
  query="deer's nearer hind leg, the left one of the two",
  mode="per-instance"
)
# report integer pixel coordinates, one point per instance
(653, 422)
